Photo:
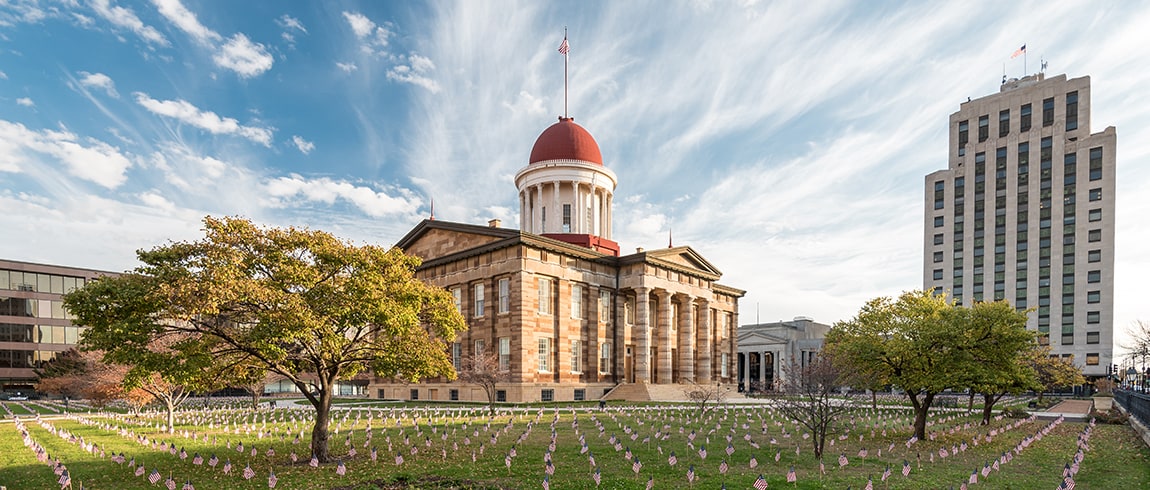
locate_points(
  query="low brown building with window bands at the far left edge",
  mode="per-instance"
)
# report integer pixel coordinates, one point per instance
(34, 324)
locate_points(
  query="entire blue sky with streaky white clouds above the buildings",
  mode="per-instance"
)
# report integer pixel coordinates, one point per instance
(786, 142)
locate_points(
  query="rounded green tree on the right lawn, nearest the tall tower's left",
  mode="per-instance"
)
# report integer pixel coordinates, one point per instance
(921, 343)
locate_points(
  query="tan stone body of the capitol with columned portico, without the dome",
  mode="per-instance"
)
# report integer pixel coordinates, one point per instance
(574, 323)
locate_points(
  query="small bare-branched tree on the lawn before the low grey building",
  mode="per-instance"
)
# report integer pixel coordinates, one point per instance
(808, 396)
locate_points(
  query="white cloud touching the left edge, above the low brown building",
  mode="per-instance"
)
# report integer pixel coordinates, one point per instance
(89, 159)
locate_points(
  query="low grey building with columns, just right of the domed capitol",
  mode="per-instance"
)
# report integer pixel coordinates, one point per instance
(766, 350)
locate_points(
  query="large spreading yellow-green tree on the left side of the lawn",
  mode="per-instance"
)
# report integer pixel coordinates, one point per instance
(302, 304)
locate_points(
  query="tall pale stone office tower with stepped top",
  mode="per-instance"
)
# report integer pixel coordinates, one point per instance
(1025, 213)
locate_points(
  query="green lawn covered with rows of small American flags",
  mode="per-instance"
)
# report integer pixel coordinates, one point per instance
(467, 448)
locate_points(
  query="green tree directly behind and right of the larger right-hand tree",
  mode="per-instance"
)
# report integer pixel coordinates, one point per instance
(1000, 340)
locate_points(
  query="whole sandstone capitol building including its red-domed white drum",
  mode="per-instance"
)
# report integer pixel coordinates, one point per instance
(568, 316)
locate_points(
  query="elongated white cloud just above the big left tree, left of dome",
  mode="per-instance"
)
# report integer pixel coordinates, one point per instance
(328, 192)
